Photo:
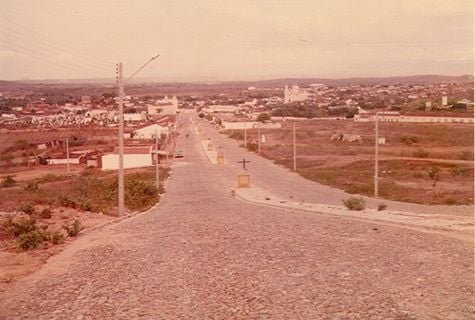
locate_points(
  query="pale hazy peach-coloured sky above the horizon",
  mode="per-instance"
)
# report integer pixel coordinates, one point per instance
(235, 40)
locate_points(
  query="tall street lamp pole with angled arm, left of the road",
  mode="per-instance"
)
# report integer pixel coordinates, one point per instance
(121, 131)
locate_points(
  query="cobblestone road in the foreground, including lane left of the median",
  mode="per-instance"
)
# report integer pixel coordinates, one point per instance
(201, 254)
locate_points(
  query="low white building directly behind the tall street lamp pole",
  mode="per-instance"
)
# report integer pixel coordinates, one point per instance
(134, 157)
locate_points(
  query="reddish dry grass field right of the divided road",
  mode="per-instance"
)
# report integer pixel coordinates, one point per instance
(405, 160)
